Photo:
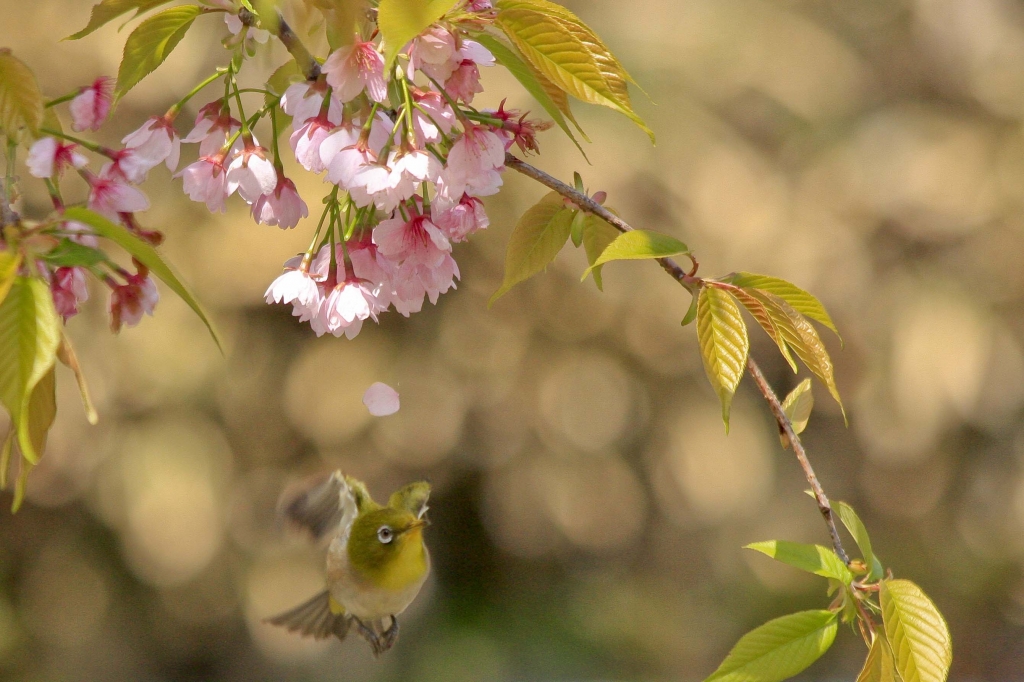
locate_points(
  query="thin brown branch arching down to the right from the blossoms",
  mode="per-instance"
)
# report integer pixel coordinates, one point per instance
(688, 280)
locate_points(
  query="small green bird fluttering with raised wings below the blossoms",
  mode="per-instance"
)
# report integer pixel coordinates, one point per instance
(376, 562)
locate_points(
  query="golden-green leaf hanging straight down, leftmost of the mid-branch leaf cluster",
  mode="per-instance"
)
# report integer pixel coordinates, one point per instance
(724, 345)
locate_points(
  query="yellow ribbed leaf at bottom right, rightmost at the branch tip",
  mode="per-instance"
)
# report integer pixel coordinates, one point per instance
(916, 631)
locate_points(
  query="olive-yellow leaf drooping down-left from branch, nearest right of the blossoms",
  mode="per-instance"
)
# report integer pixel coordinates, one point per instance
(538, 238)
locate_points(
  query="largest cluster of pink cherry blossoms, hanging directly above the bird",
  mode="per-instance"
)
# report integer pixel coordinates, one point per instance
(409, 160)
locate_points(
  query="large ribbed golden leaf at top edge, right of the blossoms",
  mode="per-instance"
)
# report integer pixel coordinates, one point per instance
(568, 54)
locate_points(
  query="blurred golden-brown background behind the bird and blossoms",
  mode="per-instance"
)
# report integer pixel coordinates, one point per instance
(589, 510)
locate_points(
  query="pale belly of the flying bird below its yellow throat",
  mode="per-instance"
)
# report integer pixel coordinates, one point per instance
(364, 600)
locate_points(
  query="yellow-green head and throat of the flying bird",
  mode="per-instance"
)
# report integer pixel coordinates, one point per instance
(386, 544)
